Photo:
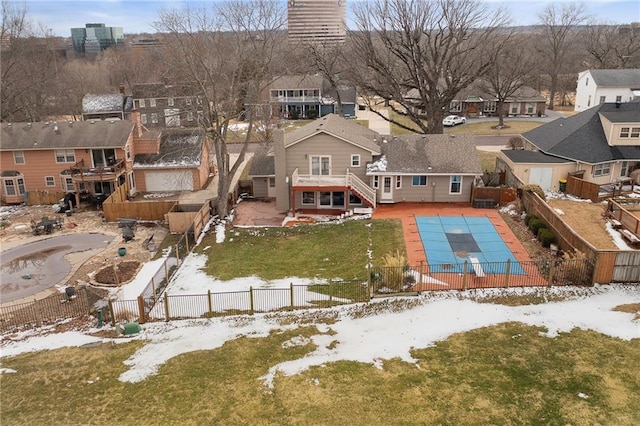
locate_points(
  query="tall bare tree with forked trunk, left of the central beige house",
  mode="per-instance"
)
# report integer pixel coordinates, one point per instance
(227, 54)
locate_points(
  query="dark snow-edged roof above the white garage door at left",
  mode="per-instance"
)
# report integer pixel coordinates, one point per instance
(180, 148)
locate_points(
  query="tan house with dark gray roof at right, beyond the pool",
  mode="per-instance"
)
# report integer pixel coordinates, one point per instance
(602, 144)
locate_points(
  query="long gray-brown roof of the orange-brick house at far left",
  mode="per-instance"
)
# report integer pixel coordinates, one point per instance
(76, 134)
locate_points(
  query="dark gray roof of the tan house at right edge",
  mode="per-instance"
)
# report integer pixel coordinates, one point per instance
(582, 138)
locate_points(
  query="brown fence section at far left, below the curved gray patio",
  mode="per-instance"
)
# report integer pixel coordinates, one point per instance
(44, 311)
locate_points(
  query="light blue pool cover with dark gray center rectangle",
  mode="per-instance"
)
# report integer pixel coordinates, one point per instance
(449, 241)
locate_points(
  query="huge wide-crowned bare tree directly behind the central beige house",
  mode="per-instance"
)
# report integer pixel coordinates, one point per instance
(430, 49)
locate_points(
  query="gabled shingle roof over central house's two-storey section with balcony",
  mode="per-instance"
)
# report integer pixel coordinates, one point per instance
(339, 127)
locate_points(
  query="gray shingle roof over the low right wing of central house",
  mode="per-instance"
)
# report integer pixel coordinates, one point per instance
(445, 154)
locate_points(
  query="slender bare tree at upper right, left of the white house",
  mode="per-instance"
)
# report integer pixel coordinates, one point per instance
(559, 34)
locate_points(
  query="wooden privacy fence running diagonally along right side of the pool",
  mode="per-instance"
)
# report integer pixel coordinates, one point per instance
(609, 266)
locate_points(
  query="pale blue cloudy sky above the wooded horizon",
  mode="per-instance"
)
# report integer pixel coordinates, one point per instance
(137, 16)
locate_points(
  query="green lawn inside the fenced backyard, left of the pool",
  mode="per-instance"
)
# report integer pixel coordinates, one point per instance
(331, 251)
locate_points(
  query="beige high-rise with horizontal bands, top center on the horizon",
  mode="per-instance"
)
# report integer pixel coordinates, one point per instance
(317, 21)
